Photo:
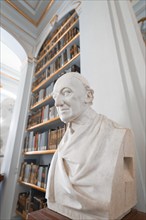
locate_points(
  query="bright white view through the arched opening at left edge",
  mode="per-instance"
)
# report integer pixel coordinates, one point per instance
(13, 59)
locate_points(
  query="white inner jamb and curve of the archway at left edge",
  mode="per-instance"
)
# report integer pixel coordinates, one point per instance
(13, 147)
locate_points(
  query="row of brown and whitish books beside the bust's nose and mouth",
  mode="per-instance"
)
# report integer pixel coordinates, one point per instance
(42, 115)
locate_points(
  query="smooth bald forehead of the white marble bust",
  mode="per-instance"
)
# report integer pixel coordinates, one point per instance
(68, 82)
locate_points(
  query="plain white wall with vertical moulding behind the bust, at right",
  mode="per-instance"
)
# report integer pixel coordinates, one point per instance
(113, 62)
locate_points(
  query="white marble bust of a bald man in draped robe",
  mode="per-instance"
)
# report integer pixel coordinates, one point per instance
(92, 174)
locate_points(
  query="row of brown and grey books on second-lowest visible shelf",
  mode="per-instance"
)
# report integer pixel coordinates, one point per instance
(34, 174)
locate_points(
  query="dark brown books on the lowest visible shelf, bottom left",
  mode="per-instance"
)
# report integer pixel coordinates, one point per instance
(30, 201)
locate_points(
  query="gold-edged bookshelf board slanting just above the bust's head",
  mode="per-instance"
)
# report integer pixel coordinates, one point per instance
(54, 76)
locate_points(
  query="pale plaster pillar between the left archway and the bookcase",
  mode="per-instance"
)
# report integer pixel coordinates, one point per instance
(9, 188)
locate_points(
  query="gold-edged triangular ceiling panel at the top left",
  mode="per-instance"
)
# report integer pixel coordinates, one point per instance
(33, 10)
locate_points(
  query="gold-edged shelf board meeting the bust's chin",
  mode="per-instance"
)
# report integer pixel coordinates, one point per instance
(46, 125)
